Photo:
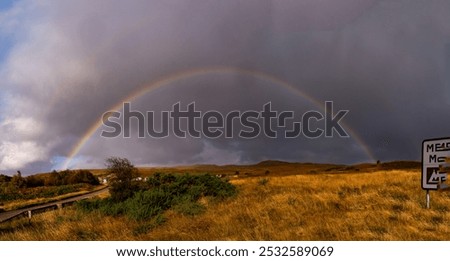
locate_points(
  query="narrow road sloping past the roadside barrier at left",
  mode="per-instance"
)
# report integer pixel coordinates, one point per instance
(5, 216)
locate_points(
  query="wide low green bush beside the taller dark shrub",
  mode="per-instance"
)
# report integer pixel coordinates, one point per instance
(162, 192)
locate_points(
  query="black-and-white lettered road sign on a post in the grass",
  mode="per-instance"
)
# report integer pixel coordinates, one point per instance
(435, 163)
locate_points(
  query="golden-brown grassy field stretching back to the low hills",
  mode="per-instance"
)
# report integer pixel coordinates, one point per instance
(276, 201)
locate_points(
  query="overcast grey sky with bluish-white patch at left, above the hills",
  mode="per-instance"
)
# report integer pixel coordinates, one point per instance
(64, 63)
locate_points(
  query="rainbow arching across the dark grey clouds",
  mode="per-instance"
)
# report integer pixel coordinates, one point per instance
(183, 75)
